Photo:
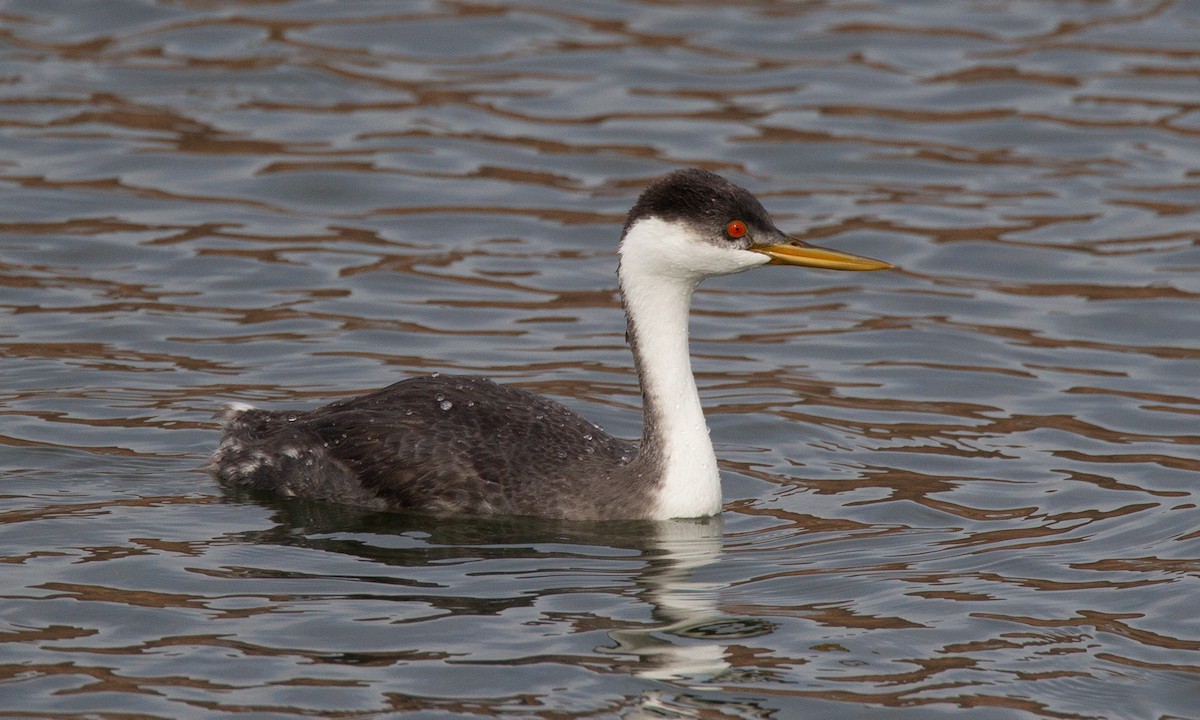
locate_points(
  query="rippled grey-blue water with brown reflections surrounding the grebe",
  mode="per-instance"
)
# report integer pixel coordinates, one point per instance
(964, 488)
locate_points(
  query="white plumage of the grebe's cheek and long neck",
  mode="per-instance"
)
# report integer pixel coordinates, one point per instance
(662, 265)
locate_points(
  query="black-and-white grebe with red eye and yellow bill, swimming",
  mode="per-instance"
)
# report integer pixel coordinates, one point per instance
(458, 445)
